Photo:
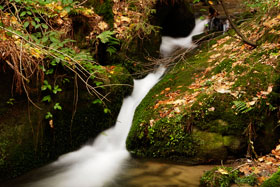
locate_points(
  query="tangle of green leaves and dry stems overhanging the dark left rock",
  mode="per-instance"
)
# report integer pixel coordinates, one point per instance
(36, 42)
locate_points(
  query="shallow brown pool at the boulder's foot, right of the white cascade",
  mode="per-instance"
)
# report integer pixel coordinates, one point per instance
(159, 174)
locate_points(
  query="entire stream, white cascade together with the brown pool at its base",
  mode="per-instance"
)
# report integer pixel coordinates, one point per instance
(98, 164)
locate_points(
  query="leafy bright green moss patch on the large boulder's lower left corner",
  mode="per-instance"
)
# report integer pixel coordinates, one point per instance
(161, 141)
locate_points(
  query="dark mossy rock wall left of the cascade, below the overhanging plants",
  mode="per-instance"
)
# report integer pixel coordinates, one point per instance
(28, 140)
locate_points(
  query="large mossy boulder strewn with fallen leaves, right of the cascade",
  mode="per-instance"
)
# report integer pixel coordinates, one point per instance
(211, 105)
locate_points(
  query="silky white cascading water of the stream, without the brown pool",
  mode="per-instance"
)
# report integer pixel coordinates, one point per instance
(94, 165)
